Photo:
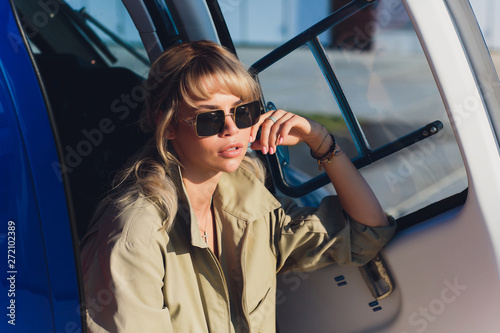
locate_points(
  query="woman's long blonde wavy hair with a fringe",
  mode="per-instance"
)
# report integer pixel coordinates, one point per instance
(185, 73)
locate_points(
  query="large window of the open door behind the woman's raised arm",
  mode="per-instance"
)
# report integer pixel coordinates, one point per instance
(363, 74)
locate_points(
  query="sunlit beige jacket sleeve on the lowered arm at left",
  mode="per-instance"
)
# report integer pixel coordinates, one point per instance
(123, 280)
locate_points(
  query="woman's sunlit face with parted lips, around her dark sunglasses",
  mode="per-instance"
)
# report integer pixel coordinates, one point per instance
(205, 157)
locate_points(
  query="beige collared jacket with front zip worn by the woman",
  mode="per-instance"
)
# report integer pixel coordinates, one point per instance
(140, 279)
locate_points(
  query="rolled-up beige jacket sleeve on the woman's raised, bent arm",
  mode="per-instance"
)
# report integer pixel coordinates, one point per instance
(308, 238)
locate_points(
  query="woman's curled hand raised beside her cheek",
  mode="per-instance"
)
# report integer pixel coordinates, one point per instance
(284, 128)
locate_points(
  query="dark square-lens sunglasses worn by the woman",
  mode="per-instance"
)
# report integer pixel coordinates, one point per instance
(212, 122)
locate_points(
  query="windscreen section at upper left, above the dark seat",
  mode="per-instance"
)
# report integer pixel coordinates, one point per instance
(98, 33)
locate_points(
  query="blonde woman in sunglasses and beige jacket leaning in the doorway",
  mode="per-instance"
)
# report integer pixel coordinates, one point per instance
(190, 240)
